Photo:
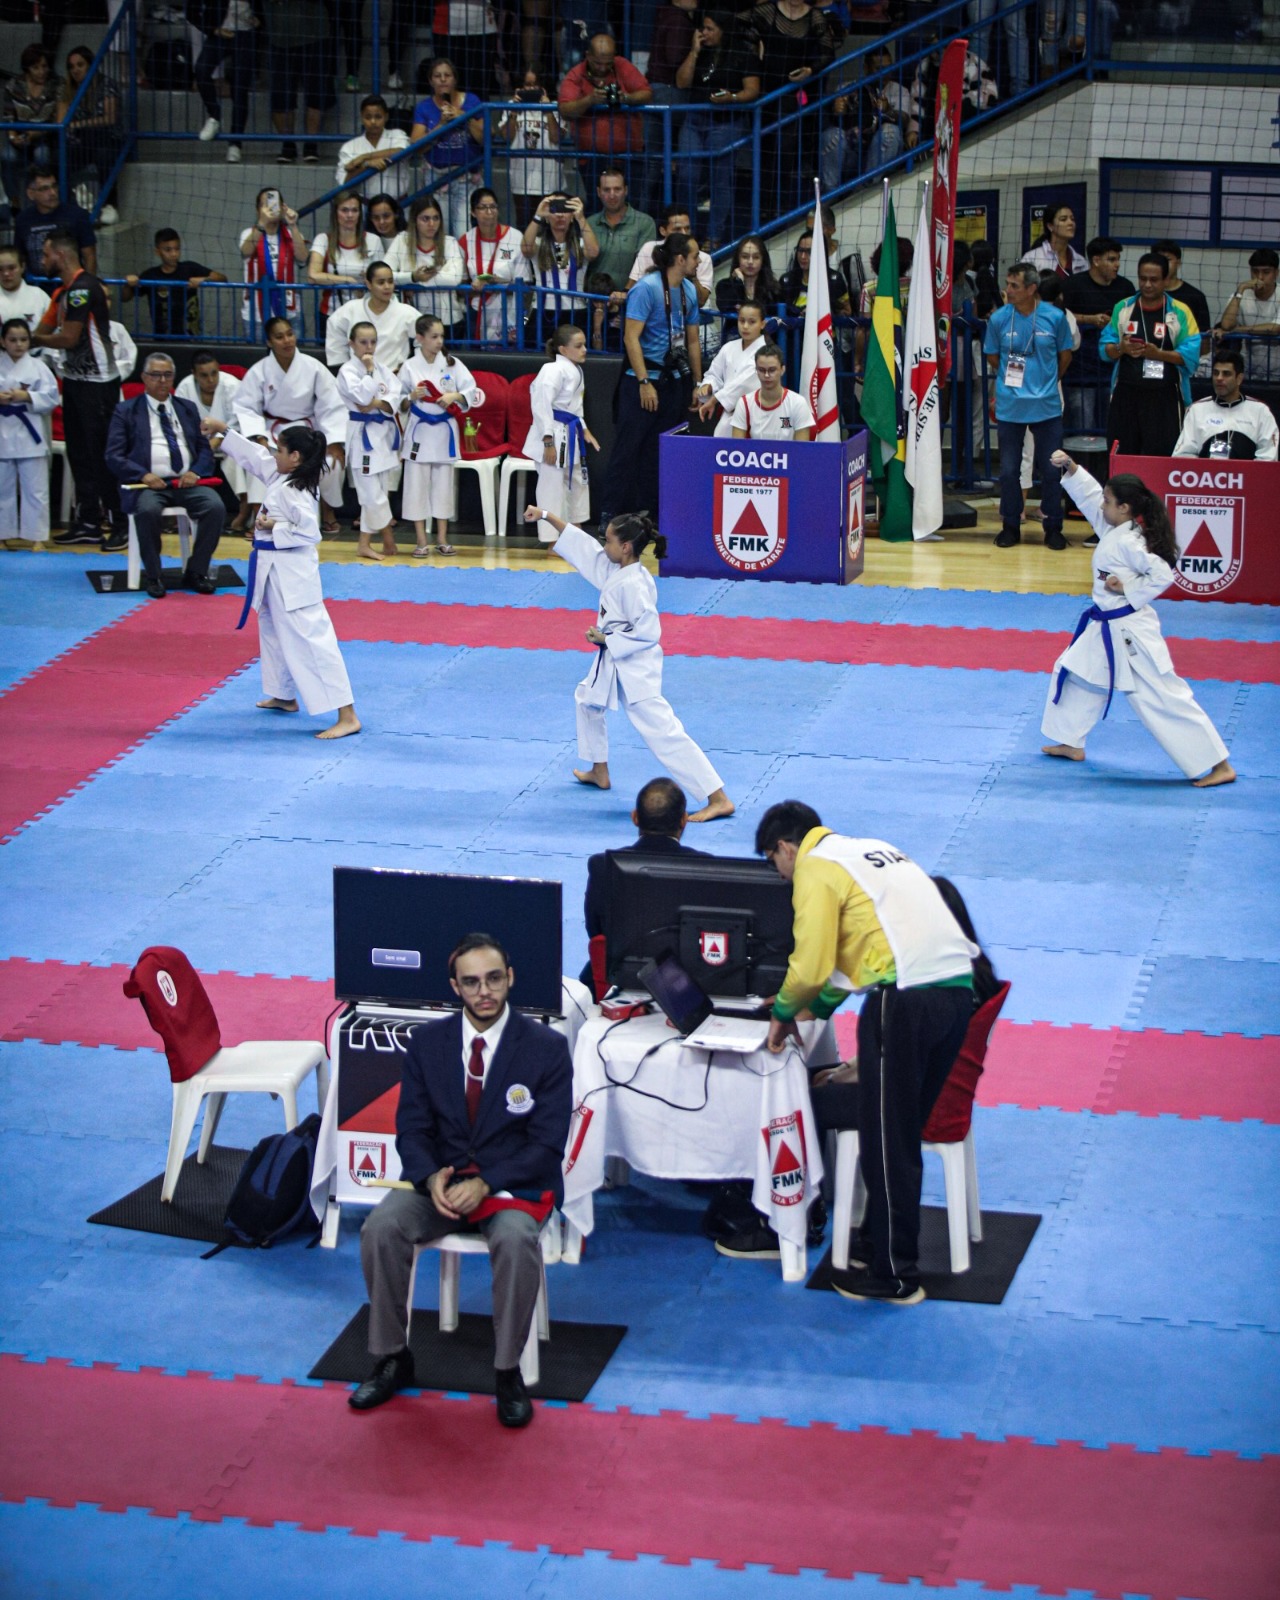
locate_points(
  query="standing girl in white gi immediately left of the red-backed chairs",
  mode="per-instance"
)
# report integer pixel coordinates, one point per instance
(438, 388)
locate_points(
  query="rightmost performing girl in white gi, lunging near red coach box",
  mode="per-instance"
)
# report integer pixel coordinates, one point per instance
(1119, 644)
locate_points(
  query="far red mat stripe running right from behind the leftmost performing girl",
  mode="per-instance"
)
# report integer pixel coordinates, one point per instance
(772, 639)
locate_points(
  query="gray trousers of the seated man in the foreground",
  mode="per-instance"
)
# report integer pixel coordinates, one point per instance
(386, 1254)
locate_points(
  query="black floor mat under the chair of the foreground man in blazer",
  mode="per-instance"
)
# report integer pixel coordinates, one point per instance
(463, 1361)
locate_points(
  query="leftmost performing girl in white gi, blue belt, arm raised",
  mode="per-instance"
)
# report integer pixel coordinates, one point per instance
(298, 644)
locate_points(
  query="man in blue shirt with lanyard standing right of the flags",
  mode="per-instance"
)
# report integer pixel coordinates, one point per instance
(1028, 348)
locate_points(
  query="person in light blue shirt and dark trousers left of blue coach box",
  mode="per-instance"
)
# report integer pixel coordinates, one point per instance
(665, 362)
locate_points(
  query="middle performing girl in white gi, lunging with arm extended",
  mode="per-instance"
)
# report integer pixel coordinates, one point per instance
(628, 668)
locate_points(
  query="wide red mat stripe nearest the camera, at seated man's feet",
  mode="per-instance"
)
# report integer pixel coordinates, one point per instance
(1060, 1518)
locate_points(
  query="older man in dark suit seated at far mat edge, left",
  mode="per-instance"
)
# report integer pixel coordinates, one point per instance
(156, 439)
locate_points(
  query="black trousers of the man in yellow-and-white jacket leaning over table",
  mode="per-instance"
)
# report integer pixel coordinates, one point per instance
(908, 1042)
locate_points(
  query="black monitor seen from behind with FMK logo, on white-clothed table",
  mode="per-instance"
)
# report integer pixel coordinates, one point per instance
(726, 919)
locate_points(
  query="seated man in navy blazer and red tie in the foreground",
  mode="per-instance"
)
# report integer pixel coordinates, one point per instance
(484, 1116)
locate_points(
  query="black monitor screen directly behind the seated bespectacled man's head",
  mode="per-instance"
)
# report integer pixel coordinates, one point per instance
(393, 935)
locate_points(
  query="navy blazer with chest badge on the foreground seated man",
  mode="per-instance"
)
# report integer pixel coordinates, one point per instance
(524, 1121)
